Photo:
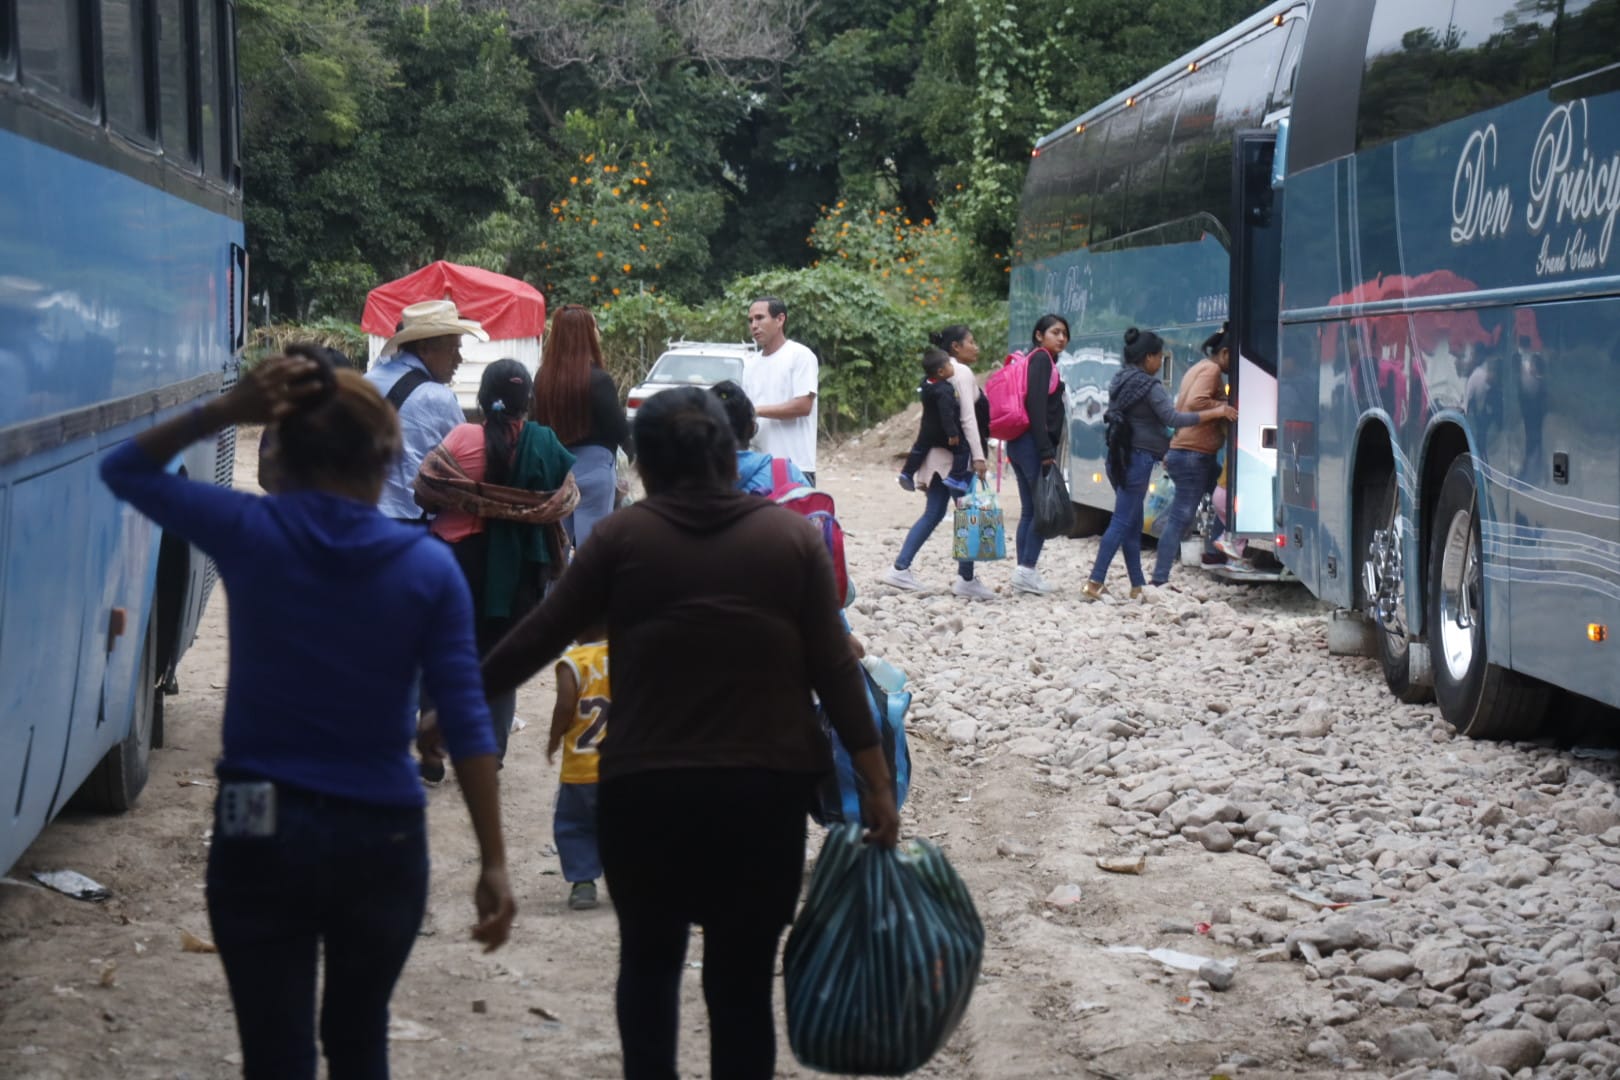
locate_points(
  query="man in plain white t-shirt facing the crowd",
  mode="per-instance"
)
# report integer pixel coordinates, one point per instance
(782, 381)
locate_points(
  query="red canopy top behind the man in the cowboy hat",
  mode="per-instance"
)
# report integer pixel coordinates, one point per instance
(506, 307)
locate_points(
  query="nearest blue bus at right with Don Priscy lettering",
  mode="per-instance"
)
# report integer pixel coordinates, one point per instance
(1451, 344)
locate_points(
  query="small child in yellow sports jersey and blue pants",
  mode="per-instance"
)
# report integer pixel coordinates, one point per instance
(578, 725)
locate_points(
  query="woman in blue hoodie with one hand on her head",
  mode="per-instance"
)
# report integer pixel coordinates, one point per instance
(320, 831)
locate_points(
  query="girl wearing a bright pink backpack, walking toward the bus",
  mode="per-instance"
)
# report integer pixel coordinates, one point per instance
(1028, 415)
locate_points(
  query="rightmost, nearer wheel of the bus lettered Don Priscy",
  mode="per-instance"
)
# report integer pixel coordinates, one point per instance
(1477, 697)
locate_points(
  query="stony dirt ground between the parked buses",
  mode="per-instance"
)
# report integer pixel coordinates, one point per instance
(1201, 848)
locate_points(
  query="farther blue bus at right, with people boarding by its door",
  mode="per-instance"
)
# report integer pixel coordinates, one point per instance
(1132, 218)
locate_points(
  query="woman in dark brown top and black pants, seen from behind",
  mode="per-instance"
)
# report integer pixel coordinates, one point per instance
(722, 614)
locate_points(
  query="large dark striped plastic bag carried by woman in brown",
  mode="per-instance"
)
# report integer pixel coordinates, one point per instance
(882, 961)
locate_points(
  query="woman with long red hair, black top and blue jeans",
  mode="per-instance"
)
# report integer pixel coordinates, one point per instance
(578, 399)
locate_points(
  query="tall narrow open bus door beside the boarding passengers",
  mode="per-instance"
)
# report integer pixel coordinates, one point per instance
(1256, 266)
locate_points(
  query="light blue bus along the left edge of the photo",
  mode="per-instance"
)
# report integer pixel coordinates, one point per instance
(122, 284)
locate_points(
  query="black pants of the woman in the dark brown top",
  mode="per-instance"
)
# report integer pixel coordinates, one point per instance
(731, 861)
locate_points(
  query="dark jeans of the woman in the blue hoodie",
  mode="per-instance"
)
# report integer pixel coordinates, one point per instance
(339, 877)
